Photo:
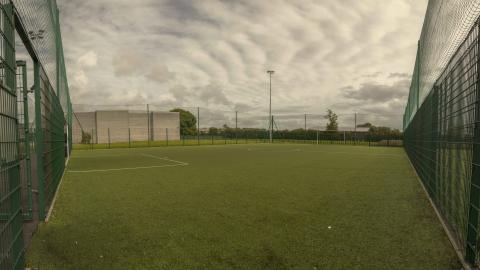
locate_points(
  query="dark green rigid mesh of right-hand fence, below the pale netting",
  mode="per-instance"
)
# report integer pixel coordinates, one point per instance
(442, 141)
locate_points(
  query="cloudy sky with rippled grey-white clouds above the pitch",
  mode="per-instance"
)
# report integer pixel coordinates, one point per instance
(347, 55)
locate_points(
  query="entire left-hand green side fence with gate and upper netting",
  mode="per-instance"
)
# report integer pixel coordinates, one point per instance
(35, 121)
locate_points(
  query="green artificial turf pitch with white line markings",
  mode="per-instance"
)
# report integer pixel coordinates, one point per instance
(261, 206)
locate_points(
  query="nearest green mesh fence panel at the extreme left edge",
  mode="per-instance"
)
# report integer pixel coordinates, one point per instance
(11, 219)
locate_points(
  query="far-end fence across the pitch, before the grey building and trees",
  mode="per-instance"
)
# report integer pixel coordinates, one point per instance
(108, 126)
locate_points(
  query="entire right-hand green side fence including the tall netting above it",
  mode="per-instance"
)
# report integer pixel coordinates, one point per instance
(442, 120)
